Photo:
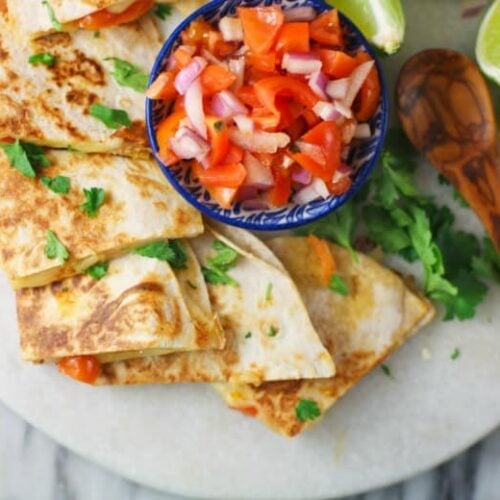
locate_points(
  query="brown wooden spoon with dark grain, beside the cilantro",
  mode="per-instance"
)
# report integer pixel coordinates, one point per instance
(446, 110)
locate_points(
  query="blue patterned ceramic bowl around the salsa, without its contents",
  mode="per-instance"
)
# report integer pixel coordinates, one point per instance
(363, 157)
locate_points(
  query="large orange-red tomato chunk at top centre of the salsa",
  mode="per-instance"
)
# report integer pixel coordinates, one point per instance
(261, 26)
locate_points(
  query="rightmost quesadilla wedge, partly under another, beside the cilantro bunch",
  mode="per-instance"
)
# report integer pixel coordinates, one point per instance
(359, 330)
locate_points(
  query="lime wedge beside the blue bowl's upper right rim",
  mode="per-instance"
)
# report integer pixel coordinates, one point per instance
(381, 21)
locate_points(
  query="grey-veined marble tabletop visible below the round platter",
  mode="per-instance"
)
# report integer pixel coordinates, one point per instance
(33, 467)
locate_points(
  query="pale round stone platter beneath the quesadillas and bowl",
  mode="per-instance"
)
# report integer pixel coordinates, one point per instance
(182, 439)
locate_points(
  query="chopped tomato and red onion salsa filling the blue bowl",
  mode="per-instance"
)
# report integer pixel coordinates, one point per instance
(265, 105)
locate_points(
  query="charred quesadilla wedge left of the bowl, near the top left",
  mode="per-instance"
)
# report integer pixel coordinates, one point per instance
(69, 95)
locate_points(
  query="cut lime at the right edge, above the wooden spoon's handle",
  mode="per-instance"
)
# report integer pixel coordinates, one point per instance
(488, 43)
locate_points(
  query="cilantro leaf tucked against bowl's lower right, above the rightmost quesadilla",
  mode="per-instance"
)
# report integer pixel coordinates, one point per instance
(337, 227)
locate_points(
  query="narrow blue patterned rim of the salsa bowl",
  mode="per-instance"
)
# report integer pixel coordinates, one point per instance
(330, 204)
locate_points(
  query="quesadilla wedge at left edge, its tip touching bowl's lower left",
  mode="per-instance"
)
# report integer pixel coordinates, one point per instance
(46, 236)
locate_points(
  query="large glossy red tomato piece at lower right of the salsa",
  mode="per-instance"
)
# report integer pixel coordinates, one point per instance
(326, 135)
